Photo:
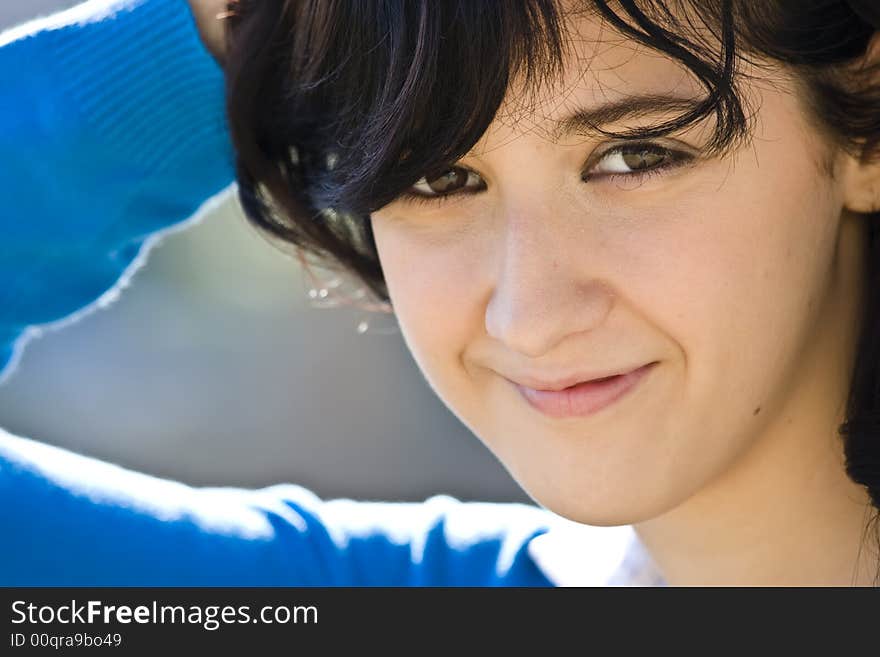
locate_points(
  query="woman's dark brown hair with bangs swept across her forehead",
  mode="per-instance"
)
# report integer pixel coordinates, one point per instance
(336, 107)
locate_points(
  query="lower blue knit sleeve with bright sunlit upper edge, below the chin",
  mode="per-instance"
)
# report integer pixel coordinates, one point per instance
(71, 520)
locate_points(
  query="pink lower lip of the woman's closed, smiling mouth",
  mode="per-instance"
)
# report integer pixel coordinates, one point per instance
(586, 398)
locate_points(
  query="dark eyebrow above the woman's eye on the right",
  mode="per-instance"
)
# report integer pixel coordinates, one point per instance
(591, 119)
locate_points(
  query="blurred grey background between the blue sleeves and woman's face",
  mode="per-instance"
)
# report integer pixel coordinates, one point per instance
(214, 368)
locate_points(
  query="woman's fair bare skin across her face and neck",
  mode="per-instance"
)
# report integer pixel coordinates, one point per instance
(740, 276)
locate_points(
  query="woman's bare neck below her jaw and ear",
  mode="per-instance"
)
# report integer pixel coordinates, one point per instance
(786, 513)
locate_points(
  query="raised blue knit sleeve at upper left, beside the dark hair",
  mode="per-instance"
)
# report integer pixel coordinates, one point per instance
(112, 128)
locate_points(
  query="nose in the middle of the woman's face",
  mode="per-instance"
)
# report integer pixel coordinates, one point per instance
(545, 289)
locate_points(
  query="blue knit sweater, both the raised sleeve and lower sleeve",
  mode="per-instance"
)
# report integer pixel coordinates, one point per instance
(111, 130)
